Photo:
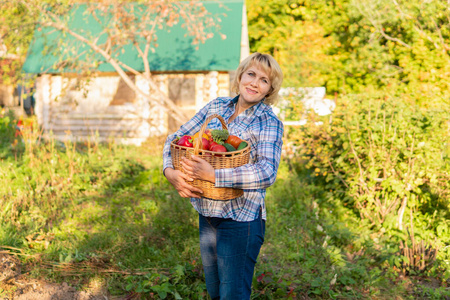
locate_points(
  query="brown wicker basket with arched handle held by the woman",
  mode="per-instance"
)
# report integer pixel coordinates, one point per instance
(218, 160)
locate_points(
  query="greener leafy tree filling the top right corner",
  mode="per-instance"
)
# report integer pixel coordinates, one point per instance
(416, 36)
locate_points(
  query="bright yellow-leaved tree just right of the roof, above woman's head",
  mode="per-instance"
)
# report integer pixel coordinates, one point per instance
(289, 30)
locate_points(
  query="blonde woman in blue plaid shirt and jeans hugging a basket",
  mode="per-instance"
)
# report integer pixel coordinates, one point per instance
(232, 232)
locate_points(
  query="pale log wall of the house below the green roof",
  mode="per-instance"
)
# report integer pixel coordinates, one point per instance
(105, 108)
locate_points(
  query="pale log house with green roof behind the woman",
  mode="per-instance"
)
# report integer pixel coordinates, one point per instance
(104, 107)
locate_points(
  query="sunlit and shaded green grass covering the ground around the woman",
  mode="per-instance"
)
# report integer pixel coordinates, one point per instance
(85, 213)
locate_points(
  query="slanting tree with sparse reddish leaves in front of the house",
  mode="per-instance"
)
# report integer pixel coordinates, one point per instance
(123, 23)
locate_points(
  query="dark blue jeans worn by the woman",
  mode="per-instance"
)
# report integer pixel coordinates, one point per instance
(229, 250)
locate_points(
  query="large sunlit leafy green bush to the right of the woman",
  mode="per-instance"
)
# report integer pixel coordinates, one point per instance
(382, 156)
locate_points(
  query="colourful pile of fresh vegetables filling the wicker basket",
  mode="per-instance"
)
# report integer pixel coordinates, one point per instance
(216, 140)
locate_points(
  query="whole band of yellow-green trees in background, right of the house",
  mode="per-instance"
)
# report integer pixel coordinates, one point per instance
(399, 47)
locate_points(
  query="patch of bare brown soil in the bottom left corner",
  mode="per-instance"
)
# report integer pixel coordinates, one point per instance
(17, 286)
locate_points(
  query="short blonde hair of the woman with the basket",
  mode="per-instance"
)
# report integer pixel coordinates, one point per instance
(267, 63)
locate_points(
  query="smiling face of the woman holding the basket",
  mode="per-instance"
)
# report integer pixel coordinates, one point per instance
(254, 86)
